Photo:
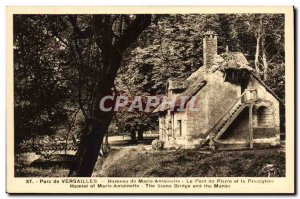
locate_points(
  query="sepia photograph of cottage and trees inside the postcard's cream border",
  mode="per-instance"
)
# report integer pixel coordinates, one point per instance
(178, 95)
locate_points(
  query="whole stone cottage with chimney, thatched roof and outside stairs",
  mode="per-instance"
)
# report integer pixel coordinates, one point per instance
(235, 107)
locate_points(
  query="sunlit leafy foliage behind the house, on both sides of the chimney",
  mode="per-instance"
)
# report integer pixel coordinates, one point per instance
(172, 47)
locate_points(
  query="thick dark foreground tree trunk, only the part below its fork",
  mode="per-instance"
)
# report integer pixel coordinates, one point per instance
(96, 128)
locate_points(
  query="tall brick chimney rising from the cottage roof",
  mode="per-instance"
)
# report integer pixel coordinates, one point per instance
(209, 48)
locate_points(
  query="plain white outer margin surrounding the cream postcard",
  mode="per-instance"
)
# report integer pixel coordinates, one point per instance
(4, 3)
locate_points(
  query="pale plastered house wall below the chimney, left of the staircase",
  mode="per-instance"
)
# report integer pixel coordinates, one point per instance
(214, 100)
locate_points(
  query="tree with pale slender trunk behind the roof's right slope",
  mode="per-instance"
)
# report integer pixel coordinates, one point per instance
(268, 31)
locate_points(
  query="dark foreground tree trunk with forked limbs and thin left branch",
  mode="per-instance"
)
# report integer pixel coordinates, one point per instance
(112, 36)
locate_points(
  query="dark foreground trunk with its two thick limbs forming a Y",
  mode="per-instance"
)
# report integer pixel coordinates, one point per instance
(111, 54)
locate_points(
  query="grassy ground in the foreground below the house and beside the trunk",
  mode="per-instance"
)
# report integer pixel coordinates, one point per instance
(141, 162)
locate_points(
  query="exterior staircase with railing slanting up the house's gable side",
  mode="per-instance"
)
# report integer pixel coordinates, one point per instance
(244, 101)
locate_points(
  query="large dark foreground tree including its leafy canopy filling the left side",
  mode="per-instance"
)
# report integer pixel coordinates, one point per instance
(71, 57)
